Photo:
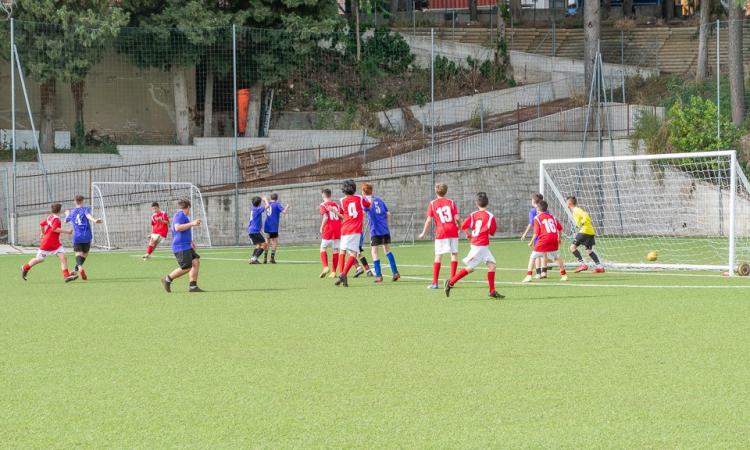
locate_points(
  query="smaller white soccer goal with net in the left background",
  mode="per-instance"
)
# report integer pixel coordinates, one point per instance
(126, 210)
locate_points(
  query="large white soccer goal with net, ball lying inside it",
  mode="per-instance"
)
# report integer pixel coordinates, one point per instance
(689, 210)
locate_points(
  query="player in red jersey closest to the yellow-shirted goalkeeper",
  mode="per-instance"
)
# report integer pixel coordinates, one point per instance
(546, 240)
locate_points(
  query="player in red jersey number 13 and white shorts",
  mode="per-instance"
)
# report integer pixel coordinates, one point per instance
(445, 214)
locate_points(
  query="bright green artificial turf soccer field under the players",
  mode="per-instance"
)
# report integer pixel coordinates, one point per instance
(273, 356)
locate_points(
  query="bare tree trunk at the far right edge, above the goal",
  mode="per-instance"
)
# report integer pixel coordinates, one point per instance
(736, 70)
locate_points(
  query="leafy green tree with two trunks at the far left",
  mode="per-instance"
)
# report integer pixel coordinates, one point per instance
(62, 41)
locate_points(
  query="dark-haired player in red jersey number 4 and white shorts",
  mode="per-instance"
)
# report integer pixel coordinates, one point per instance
(351, 213)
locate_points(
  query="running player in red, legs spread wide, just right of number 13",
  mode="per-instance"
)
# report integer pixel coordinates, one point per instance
(481, 224)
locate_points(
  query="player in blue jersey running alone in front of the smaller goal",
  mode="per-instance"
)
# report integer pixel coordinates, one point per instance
(184, 248)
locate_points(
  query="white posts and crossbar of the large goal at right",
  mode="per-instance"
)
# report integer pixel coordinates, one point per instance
(545, 182)
